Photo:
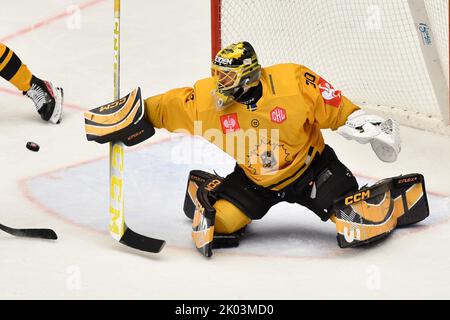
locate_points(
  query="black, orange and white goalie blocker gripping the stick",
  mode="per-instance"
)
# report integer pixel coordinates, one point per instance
(121, 120)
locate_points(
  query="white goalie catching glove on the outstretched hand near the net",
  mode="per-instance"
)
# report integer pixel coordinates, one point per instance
(383, 135)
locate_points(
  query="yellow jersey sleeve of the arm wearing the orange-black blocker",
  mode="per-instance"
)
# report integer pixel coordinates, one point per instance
(174, 110)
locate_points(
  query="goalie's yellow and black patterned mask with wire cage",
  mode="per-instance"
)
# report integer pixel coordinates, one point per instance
(235, 70)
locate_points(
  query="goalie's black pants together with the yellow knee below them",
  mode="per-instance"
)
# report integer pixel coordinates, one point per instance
(240, 200)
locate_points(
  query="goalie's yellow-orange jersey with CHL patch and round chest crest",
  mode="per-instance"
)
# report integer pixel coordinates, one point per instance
(274, 141)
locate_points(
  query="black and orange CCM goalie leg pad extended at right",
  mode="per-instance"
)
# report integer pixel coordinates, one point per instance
(373, 212)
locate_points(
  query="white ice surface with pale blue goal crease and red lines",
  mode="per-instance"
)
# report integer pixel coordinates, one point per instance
(290, 254)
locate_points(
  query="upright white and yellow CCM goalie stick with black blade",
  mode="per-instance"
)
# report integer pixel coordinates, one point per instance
(117, 226)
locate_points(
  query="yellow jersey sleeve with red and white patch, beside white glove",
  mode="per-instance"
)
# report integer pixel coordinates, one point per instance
(329, 108)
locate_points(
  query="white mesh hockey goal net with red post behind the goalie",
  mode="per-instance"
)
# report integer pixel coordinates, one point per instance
(388, 56)
